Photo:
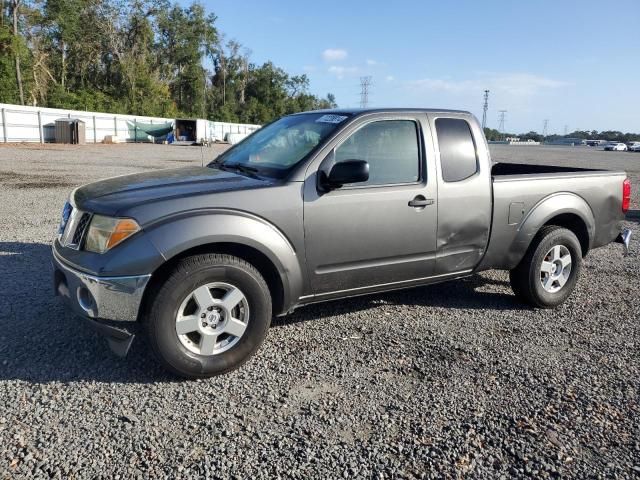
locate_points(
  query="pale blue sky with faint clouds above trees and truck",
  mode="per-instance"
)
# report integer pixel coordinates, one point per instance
(574, 63)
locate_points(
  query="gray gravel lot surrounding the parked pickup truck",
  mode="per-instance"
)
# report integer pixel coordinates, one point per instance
(446, 381)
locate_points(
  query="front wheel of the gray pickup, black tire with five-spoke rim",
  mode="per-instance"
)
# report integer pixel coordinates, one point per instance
(237, 314)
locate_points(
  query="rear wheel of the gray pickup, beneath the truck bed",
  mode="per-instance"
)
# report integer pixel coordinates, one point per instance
(548, 284)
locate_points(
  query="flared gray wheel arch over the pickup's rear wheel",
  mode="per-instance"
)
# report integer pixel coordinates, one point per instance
(541, 213)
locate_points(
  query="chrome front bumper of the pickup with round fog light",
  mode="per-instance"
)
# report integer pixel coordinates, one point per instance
(110, 304)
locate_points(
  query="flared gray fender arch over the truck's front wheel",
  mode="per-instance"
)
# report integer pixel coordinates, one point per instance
(176, 234)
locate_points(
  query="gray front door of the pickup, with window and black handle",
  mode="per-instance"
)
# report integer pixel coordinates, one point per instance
(375, 233)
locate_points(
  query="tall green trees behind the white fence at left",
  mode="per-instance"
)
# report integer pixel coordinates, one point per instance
(145, 57)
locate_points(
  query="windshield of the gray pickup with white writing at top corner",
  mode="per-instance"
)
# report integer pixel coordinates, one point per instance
(273, 150)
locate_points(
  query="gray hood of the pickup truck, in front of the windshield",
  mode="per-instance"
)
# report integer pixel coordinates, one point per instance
(110, 196)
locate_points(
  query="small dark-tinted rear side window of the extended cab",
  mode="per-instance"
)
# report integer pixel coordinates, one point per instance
(458, 156)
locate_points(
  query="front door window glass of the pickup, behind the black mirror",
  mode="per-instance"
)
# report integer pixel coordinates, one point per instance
(391, 149)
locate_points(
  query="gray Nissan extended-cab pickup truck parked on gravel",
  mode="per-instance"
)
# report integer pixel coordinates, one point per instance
(318, 206)
